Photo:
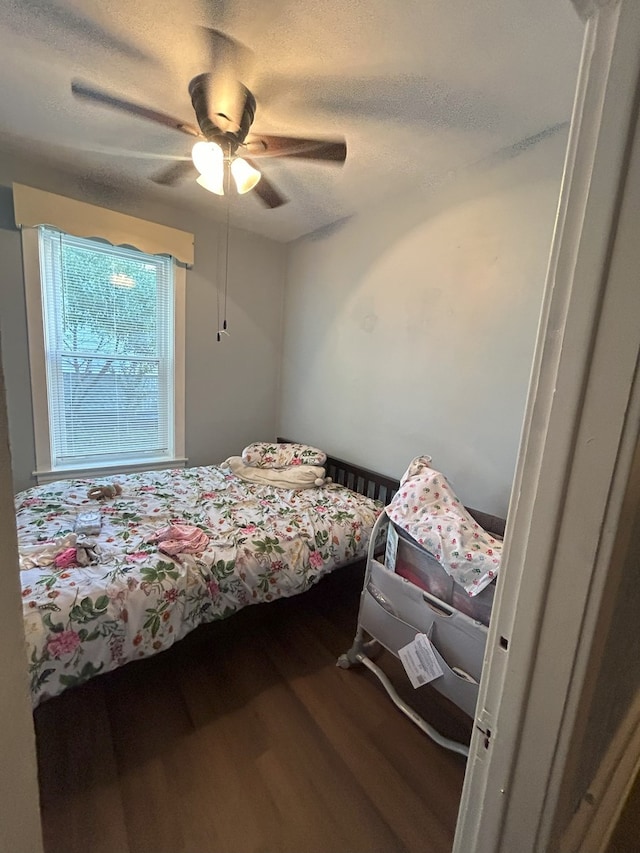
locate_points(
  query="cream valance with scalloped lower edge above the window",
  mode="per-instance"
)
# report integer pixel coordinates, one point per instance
(34, 207)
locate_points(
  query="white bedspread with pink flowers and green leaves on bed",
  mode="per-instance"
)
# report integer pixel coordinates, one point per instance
(264, 543)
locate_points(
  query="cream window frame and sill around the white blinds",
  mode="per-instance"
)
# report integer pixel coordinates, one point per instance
(44, 471)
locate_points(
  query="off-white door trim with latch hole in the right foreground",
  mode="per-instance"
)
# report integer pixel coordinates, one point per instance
(580, 430)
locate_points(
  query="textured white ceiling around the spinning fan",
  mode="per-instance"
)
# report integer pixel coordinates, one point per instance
(419, 88)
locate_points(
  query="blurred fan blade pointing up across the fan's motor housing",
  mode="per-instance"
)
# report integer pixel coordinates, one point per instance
(231, 63)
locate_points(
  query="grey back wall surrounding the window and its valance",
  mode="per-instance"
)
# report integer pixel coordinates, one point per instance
(231, 387)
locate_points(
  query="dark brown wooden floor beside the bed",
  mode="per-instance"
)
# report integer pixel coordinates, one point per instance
(246, 737)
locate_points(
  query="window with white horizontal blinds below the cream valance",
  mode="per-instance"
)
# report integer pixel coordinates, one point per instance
(106, 343)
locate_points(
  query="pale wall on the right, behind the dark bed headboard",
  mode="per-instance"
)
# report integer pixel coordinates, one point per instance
(410, 329)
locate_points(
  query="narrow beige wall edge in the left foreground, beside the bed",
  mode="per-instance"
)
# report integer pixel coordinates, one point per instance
(19, 812)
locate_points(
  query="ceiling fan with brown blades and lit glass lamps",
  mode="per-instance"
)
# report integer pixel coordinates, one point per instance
(225, 110)
